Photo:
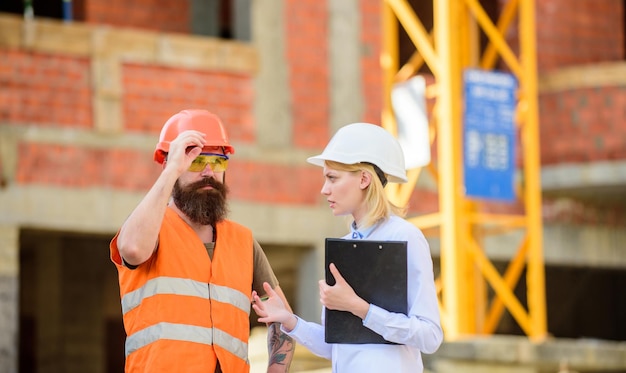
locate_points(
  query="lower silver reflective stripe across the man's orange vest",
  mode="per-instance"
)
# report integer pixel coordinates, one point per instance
(181, 332)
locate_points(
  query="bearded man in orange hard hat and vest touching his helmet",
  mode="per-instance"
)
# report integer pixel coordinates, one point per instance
(186, 272)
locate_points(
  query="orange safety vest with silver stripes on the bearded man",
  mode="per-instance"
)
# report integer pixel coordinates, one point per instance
(183, 311)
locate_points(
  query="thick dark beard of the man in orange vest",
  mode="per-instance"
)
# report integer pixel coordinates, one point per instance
(202, 206)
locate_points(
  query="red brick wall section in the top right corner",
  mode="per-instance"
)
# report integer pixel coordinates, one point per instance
(575, 32)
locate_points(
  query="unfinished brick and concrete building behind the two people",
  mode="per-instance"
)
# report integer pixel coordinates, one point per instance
(82, 100)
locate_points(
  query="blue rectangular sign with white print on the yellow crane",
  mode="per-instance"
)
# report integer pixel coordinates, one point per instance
(489, 134)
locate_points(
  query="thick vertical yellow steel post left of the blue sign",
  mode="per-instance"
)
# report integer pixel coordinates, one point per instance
(454, 261)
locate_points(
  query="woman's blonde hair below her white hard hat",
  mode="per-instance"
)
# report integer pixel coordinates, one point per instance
(379, 207)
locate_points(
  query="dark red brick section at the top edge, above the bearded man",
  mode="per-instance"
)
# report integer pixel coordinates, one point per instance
(157, 15)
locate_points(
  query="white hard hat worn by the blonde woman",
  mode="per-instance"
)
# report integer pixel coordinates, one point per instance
(368, 143)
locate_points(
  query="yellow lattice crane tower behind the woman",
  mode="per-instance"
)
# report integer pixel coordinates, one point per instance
(450, 48)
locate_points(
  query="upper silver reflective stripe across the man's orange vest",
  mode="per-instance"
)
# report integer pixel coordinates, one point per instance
(181, 286)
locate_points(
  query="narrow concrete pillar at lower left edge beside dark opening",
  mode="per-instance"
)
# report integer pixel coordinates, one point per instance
(9, 298)
